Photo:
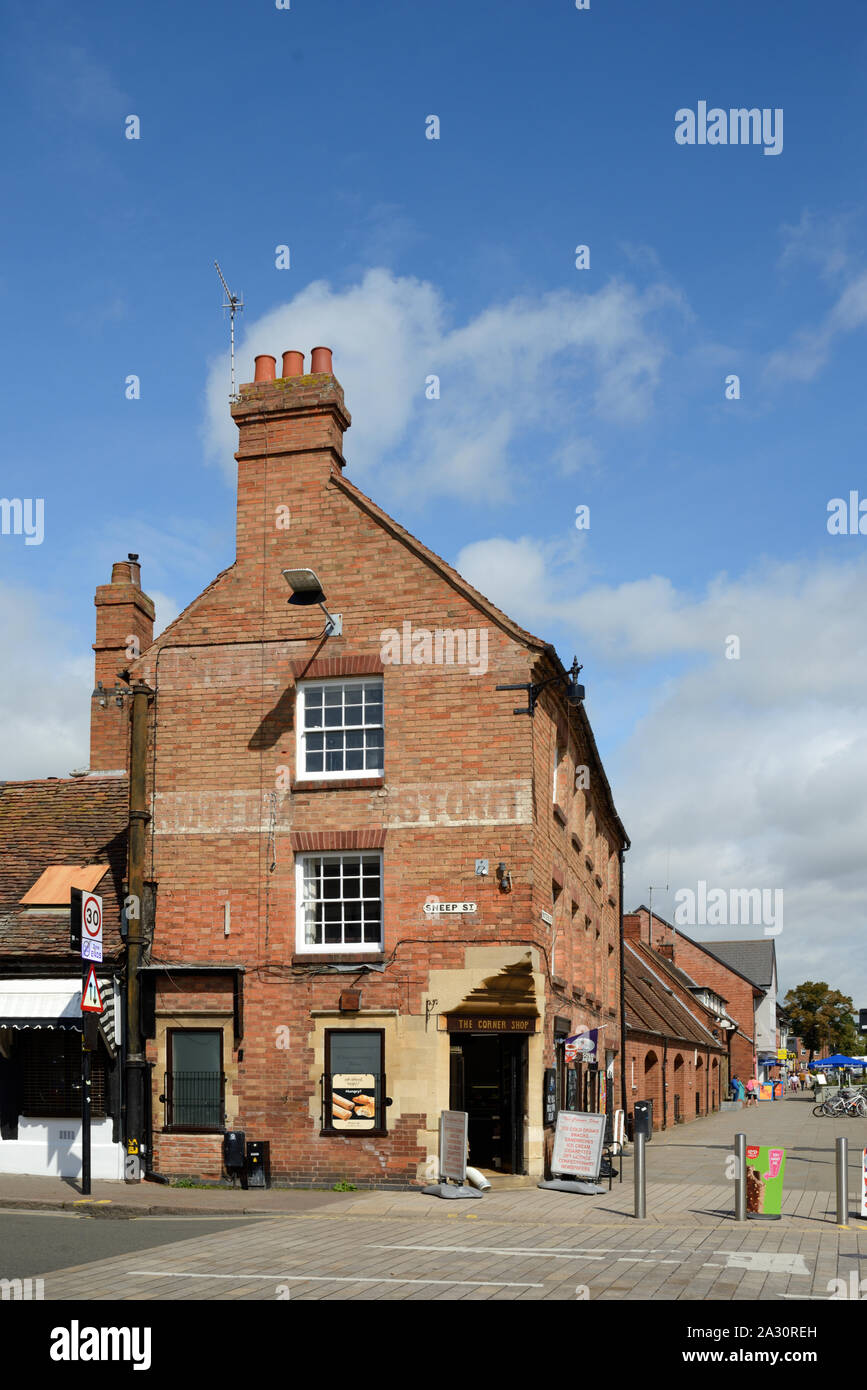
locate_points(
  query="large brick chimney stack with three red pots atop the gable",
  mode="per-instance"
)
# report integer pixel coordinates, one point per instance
(291, 441)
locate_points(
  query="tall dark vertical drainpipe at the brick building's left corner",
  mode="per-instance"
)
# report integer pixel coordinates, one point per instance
(137, 1065)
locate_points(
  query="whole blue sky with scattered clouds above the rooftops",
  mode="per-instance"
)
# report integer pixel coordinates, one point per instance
(561, 387)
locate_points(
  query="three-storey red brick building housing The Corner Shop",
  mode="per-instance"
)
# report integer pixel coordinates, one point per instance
(381, 892)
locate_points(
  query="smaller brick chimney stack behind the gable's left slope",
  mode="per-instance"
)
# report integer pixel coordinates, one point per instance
(124, 629)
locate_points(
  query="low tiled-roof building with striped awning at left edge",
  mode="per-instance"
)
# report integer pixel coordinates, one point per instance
(59, 833)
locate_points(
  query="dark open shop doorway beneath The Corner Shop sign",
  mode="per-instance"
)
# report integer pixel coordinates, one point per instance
(488, 1081)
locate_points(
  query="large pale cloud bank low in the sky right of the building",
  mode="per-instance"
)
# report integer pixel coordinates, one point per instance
(745, 774)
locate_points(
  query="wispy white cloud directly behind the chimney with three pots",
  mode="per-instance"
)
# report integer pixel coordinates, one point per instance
(516, 368)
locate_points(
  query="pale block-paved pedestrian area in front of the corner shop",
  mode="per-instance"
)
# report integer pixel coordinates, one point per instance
(526, 1243)
